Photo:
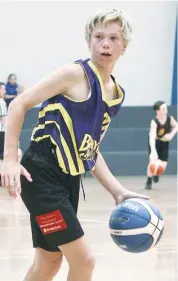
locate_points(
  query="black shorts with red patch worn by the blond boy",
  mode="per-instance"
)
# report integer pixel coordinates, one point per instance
(52, 200)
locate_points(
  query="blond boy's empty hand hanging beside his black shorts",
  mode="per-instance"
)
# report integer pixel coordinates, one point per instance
(10, 177)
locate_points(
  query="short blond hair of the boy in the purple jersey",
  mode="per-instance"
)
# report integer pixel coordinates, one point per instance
(110, 17)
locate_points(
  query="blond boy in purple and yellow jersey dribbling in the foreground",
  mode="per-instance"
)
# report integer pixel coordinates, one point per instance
(79, 101)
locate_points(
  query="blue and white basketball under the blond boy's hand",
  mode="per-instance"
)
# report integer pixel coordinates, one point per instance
(136, 225)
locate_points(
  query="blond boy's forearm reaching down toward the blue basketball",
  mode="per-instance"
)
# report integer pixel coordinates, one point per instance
(106, 178)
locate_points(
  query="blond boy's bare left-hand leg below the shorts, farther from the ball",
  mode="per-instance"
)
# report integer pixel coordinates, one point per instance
(45, 266)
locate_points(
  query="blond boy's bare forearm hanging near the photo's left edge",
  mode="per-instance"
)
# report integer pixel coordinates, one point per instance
(14, 122)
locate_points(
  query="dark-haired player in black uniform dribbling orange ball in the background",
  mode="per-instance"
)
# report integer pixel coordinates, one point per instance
(162, 130)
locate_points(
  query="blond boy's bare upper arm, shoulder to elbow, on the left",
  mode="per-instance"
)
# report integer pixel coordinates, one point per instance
(60, 81)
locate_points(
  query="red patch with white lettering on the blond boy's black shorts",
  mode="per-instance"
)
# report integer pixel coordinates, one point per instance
(51, 222)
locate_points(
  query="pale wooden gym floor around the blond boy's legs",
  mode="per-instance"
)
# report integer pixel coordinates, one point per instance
(159, 263)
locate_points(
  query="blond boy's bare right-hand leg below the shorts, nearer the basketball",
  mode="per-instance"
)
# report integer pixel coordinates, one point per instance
(80, 259)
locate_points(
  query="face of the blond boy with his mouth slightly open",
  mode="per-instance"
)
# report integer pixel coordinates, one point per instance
(106, 44)
